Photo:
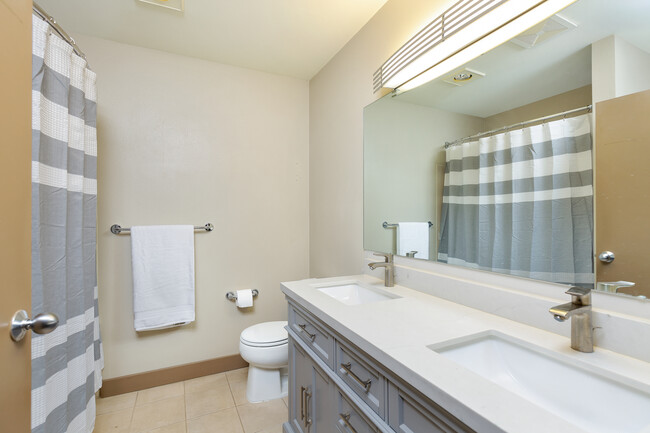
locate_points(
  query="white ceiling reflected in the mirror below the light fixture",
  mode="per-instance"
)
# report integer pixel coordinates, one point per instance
(516, 76)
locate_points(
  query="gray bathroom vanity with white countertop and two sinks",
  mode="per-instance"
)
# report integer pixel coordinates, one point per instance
(365, 358)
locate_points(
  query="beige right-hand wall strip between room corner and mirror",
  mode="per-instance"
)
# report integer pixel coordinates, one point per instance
(338, 94)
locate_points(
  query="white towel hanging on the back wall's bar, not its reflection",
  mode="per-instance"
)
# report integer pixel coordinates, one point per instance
(163, 276)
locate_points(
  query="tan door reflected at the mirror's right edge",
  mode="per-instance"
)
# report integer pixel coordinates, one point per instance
(622, 195)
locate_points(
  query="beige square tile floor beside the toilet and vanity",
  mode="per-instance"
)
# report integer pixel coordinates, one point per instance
(207, 404)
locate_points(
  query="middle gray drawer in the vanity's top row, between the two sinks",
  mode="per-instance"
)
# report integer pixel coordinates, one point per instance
(362, 378)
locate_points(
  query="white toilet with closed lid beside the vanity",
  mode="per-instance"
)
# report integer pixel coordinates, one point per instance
(264, 346)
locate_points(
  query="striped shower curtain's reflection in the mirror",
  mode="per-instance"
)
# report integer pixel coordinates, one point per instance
(521, 203)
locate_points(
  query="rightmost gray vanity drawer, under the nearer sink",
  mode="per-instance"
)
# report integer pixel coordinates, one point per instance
(408, 414)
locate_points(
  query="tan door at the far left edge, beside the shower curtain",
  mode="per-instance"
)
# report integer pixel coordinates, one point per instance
(15, 209)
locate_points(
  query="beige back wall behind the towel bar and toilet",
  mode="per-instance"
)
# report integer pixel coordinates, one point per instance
(186, 141)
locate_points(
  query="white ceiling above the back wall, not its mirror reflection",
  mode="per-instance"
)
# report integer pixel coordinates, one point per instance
(288, 37)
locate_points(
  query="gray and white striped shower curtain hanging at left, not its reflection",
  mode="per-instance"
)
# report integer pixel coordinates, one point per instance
(67, 363)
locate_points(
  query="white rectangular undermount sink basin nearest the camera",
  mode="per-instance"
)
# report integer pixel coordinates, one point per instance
(593, 399)
